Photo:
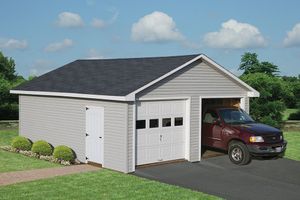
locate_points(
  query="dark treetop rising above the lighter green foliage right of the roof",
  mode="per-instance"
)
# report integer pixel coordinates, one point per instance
(251, 64)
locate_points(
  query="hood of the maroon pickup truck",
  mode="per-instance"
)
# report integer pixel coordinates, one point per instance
(257, 129)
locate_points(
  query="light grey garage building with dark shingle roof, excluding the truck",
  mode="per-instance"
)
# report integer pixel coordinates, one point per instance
(122, 113)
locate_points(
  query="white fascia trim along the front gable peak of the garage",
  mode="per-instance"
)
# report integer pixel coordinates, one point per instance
(251, 93)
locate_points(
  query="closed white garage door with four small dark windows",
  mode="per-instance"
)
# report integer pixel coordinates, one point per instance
(160, 131)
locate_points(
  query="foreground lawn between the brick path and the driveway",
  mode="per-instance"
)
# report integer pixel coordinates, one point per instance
(103, 184)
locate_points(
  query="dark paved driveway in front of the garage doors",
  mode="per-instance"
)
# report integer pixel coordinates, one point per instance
(261, 179)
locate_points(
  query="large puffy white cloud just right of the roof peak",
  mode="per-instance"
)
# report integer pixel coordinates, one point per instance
(235, 35)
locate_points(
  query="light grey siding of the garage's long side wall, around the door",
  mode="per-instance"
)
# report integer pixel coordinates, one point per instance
(61, 121)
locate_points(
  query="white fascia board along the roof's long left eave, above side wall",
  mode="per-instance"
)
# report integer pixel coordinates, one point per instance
(74, 95)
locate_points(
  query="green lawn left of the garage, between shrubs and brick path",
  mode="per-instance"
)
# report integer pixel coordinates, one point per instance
(17, 162)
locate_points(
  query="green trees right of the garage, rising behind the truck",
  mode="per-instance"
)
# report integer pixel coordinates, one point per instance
(276, 92)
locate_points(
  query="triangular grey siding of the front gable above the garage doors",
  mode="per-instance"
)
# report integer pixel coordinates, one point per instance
(199, 79)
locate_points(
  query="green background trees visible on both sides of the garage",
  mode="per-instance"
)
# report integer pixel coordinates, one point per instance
(276, 92)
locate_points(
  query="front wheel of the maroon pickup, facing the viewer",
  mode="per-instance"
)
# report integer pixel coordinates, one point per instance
(238, 153)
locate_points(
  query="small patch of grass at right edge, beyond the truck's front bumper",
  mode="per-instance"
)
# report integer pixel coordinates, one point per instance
(293, 148)
